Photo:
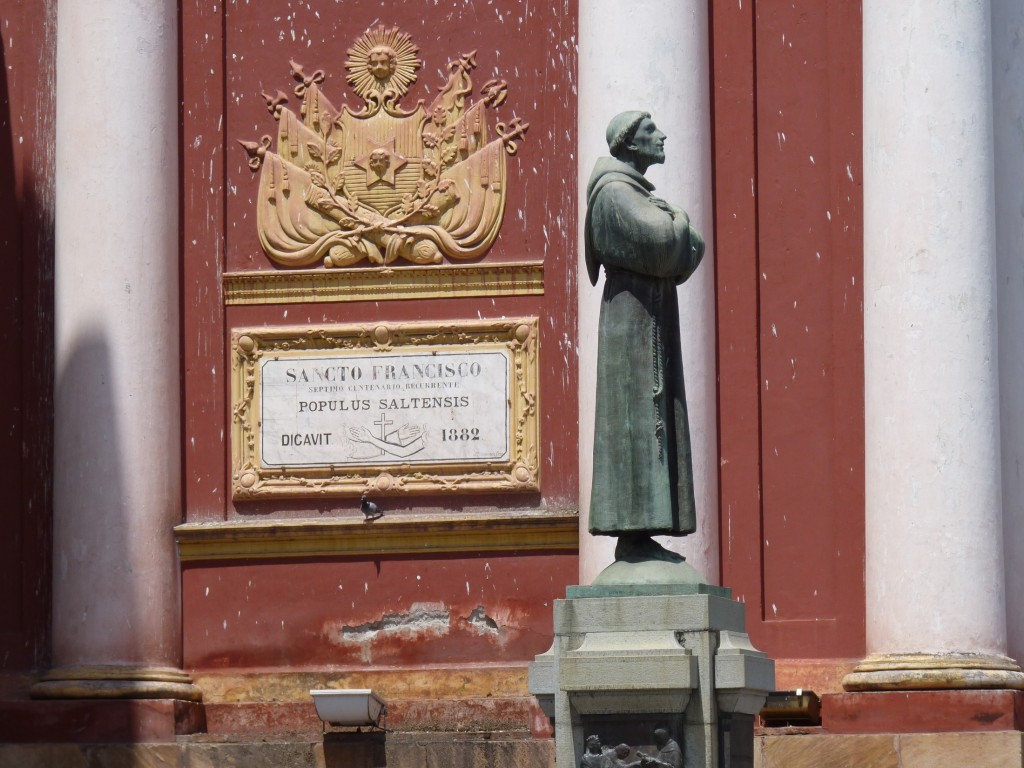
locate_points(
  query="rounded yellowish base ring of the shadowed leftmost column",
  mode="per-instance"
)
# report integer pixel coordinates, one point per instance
(117, 682)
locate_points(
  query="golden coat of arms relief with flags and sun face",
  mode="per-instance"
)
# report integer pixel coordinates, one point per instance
(380, 184)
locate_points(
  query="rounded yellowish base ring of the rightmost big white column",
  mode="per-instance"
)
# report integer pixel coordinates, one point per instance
(934, 672)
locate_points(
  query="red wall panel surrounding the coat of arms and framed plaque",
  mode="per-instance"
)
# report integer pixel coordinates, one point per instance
(235, 53)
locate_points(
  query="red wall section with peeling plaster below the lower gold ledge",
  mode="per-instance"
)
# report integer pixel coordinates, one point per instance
(460, 610)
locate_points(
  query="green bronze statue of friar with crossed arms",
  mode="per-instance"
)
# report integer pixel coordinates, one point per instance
(644, 472)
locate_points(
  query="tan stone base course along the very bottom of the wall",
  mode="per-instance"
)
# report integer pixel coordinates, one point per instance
(806, 749)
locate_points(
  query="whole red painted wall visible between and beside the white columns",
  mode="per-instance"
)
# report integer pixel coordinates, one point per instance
(787, 115)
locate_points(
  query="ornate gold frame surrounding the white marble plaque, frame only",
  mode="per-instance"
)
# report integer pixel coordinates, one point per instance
(518, 338)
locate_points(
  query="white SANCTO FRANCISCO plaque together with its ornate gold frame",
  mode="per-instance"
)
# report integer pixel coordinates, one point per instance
(388, 409)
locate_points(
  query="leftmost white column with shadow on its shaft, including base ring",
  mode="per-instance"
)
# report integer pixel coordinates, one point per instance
(117, 475)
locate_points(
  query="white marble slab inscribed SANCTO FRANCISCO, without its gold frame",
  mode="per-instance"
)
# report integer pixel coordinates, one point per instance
(442, 407)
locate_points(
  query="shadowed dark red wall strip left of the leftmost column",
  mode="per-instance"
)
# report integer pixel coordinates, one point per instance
(27, 194)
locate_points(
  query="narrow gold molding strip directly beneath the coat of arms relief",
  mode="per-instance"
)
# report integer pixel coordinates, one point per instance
(385, 284)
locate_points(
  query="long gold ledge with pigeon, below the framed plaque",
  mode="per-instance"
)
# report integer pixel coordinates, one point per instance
(399, 535)
